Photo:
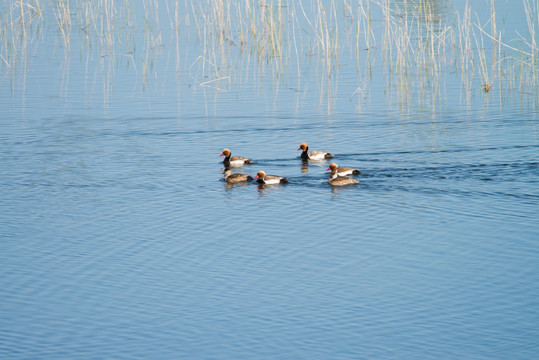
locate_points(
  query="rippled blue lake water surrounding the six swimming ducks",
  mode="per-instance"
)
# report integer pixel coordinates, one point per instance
(120, 239)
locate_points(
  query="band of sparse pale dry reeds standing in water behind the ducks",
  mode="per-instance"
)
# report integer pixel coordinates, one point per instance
(417, 46)
